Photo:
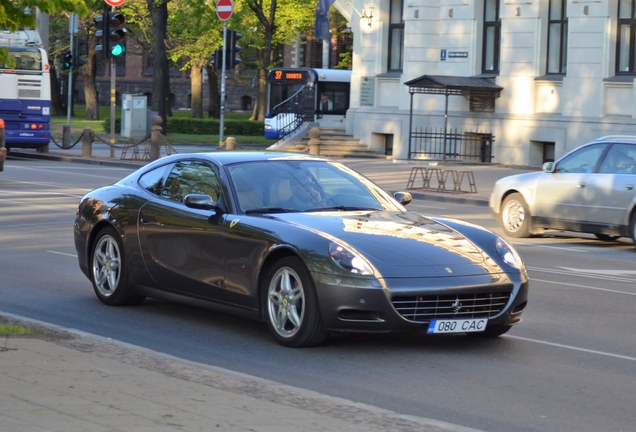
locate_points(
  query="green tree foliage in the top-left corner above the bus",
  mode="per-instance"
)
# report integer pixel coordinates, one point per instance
(16, 15)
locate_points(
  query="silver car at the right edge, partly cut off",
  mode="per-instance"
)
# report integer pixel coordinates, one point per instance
(591, 189)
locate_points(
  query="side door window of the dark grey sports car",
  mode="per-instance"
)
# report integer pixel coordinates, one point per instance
(191, 177)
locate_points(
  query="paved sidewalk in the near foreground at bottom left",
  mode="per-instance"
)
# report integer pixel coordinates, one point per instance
(66, 380)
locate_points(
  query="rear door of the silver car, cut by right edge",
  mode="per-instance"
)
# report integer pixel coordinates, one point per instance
(613, 188)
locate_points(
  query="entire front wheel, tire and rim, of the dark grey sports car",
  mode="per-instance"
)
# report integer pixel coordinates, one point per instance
(291, 304)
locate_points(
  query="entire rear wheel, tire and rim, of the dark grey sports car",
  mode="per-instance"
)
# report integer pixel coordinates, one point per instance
(109, 272)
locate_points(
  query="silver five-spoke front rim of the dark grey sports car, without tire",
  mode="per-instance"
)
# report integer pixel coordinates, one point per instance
(286, 302)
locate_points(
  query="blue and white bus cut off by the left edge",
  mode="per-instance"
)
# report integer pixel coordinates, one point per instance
(25, 91)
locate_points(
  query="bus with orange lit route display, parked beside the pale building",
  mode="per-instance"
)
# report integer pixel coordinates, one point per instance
(298, 95)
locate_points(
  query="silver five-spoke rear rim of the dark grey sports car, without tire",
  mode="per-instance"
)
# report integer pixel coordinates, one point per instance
(106, 265)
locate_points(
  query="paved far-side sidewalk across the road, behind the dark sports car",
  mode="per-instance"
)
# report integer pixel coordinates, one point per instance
(389, 174)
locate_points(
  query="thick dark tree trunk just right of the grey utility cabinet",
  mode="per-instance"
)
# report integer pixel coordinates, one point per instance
(160, 91)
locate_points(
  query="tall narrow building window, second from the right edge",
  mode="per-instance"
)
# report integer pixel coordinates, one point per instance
(557, 37)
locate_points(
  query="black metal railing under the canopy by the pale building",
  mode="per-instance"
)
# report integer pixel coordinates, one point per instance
(454, 145)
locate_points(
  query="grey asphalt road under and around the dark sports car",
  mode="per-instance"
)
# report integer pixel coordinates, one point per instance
(570, 366)
